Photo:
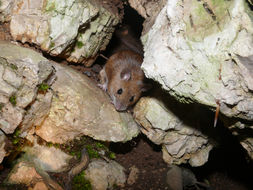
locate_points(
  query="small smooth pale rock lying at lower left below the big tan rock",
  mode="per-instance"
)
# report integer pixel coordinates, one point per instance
(49, 159)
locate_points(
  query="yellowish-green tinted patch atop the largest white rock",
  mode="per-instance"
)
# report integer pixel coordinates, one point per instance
(206, 18)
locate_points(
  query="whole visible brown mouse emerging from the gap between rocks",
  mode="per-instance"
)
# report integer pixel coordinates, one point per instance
(123, 79)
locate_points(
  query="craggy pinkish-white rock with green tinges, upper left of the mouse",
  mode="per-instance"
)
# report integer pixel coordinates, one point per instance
(72, 29)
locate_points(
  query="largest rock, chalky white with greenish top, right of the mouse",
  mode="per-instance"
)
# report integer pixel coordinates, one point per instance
(192, 51)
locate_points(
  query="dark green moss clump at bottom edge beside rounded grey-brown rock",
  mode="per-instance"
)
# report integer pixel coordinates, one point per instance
(80, 183)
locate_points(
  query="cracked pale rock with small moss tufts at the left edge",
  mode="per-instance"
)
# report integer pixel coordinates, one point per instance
(22, 71)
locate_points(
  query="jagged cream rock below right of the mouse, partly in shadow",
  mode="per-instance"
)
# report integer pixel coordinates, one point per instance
(176, 128)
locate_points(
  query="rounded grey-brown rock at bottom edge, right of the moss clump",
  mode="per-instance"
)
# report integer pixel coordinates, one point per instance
(104, 175)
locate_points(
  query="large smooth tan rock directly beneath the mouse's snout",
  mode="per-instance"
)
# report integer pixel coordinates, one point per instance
(79, 108)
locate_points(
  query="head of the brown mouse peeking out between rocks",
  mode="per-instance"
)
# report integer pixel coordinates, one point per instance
(127, 89)
